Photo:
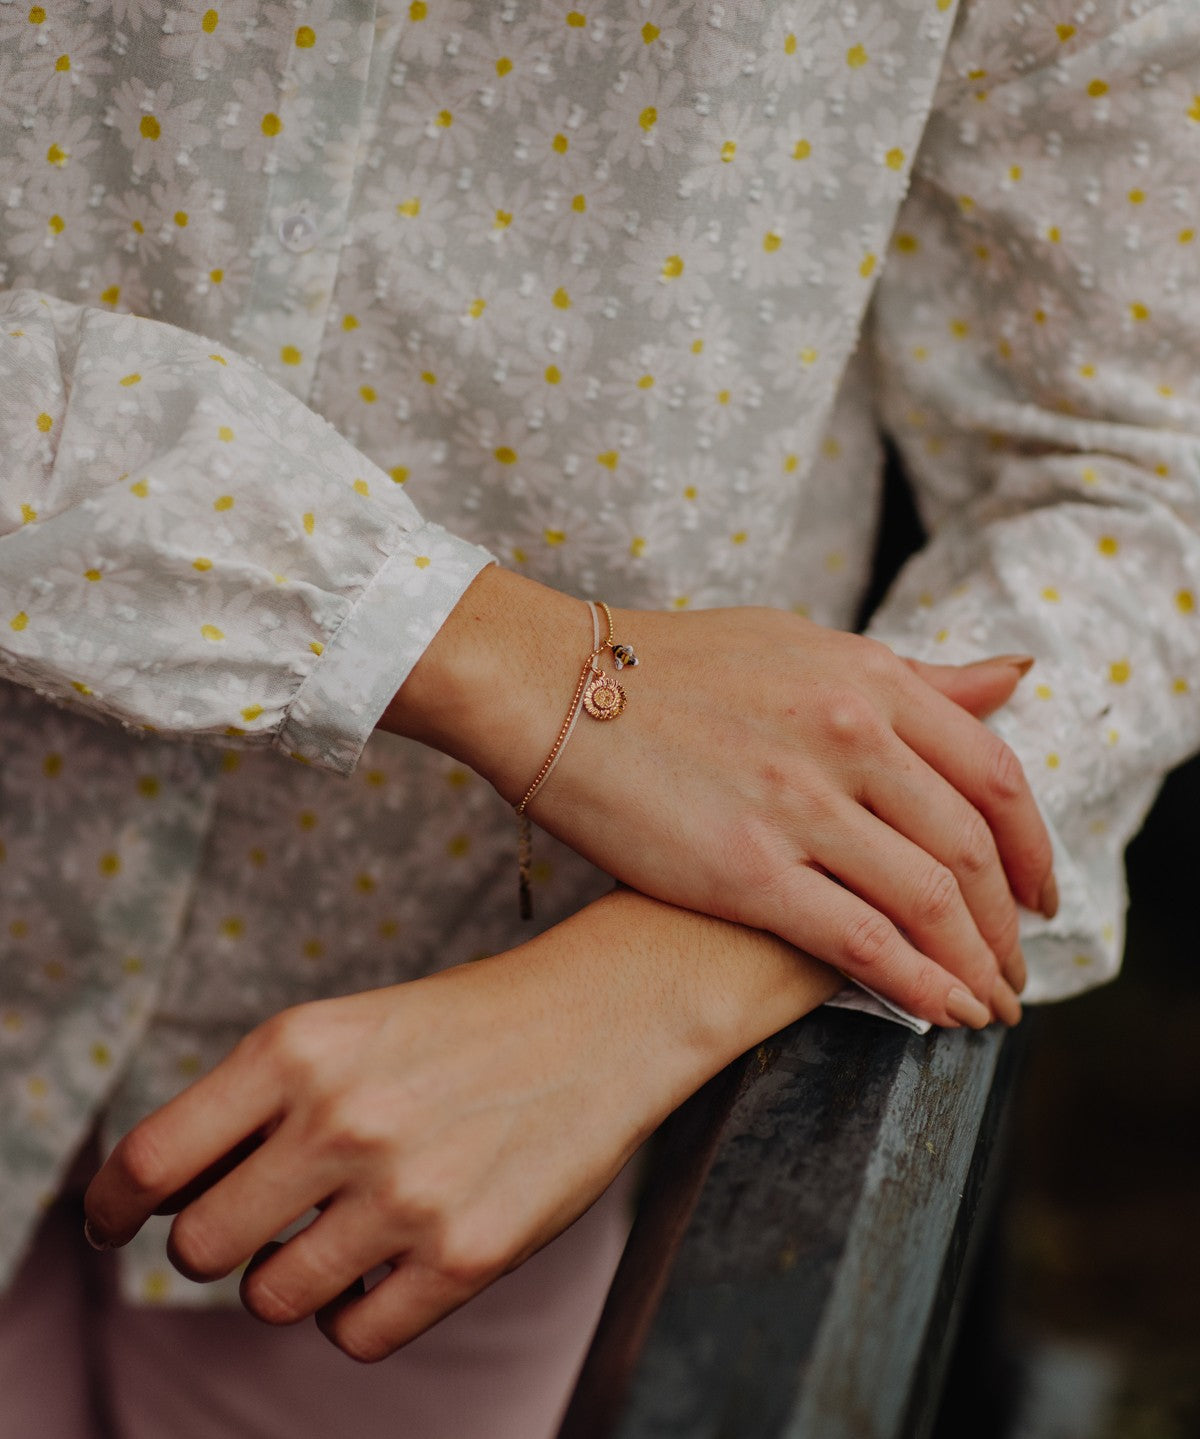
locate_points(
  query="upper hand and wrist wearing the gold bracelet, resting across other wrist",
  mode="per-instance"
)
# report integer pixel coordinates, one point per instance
(766, 771)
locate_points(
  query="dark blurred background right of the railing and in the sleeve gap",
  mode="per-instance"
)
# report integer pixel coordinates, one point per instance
(1086, 1322)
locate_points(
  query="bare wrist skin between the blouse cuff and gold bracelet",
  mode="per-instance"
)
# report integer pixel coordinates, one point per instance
(494, 683)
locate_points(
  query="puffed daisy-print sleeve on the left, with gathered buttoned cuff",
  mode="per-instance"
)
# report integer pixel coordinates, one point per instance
(188, 549)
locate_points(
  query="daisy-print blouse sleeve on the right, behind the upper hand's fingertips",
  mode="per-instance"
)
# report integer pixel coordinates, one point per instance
(1038, 343)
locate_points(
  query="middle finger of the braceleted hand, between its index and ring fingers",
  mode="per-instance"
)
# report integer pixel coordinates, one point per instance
(916, 801)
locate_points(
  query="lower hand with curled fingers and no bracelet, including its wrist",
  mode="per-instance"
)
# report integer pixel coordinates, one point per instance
(448, 1127)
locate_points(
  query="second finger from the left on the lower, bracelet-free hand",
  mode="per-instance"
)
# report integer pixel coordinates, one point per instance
(258, 1199)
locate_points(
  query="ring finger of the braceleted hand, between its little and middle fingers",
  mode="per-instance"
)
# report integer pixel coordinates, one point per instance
(920, 896)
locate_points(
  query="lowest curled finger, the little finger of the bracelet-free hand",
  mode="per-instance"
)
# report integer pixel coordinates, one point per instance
(401, 1307)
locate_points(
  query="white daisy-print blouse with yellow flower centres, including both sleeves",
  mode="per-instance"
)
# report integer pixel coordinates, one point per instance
(307, 303)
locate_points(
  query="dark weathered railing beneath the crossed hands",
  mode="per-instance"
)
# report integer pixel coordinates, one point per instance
(795, 1264)
